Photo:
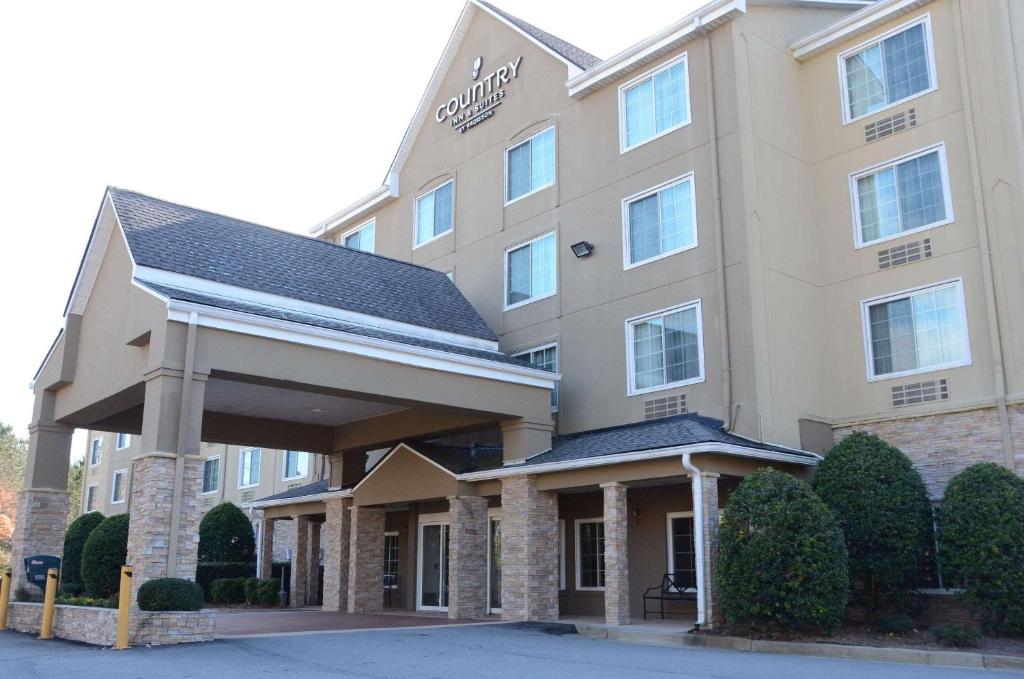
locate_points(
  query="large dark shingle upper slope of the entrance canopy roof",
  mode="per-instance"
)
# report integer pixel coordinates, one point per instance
(210, 246)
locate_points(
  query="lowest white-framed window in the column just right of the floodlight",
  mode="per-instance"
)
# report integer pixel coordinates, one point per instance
(665, 350)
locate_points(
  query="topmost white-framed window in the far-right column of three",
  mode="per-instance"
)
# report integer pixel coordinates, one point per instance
(888, 70)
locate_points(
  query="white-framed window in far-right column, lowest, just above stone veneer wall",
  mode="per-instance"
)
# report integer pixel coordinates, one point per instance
(917, 331)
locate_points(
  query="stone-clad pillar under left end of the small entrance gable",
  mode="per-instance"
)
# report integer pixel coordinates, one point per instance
(366, 566)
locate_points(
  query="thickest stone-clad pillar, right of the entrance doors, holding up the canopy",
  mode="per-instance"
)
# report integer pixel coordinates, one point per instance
(530, 551)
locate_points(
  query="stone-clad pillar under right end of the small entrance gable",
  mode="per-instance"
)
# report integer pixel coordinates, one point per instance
(467, 558)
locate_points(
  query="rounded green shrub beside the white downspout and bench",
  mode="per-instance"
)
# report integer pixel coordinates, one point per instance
(782, 562)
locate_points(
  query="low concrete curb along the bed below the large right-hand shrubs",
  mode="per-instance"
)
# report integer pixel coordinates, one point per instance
(846, 652)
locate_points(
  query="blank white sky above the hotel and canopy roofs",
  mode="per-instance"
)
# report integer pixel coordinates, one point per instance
(279, 113)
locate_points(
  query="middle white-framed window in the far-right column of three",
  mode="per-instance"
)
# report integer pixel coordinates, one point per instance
(900, 197)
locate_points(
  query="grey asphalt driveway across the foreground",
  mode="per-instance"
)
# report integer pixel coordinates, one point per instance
(484, 651)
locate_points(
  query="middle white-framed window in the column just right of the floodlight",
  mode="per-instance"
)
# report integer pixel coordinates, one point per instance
(660, 222)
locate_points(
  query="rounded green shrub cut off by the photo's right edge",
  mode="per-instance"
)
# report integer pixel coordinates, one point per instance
(982, 540)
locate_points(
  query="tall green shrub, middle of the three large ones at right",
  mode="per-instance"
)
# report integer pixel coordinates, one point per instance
(883, 510)
